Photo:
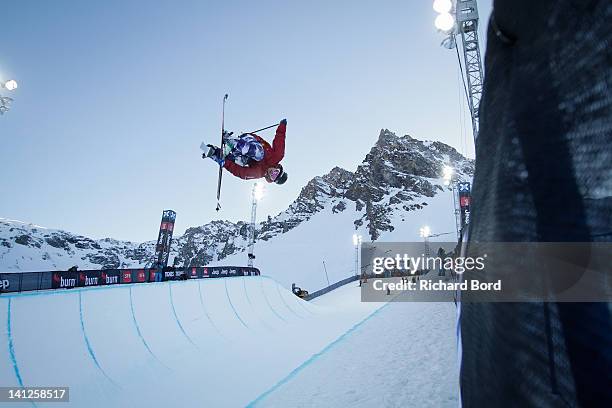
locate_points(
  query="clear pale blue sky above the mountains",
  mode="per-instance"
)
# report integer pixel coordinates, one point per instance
(115, 98)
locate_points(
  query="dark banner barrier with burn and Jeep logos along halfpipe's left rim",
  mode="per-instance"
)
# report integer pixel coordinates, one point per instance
(28, 281)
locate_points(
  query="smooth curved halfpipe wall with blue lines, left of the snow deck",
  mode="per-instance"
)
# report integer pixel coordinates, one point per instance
(217, 342)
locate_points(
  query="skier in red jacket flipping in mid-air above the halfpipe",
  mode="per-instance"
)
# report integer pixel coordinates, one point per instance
(251, 157)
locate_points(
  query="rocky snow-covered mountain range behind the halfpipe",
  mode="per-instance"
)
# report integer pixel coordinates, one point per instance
(394, 191)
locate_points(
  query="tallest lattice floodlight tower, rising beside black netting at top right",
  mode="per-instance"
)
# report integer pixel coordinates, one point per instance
(460, 17)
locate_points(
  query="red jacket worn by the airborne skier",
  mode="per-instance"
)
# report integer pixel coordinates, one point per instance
(272, 156)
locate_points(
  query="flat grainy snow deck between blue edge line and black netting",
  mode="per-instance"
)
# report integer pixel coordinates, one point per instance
(402, 356)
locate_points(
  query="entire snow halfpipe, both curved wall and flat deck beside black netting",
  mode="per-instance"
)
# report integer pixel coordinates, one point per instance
(229, 342)
